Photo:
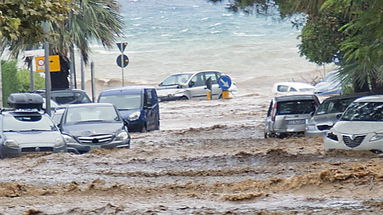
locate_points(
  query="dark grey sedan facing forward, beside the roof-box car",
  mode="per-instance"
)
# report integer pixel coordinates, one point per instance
(93, 125)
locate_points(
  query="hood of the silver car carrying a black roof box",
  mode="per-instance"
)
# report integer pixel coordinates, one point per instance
(41, 137)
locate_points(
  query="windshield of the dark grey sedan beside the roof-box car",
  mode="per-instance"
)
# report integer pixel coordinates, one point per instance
(91, 114)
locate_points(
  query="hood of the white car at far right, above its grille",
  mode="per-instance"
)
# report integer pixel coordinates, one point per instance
(355, 127)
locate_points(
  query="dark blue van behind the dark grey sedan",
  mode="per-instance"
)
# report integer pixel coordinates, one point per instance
(137, 105)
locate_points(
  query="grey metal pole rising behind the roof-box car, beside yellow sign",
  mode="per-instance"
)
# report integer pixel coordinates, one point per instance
(47, 70)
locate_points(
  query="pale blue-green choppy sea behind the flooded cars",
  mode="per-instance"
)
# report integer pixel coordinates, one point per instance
(170, 36)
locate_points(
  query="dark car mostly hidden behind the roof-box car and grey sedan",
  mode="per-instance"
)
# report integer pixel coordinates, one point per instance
(67, 96)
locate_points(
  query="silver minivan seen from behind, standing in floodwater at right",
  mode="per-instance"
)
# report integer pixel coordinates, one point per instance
(288, 114)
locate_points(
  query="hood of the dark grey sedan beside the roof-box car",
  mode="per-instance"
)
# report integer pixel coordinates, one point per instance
(89, 129)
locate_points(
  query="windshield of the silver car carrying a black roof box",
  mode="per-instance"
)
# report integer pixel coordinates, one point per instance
(19, 123)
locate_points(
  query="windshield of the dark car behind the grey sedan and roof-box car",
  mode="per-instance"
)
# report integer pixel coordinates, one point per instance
(70, 97)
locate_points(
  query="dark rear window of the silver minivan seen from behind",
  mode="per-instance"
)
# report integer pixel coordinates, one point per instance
(296, 107)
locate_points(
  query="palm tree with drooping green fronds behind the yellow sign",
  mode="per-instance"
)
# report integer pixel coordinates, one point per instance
(90, 21)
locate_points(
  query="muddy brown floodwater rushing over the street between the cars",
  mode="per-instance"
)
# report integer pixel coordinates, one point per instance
(209, 157)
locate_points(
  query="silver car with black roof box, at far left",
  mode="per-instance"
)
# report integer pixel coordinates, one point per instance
(27, 129)
